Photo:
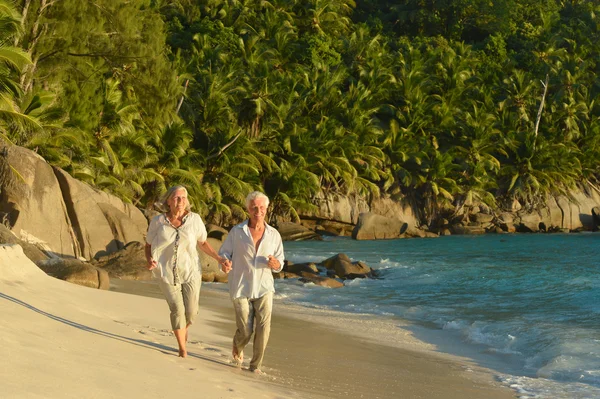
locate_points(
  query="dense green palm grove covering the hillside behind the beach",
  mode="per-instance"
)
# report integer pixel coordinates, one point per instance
(444, 103)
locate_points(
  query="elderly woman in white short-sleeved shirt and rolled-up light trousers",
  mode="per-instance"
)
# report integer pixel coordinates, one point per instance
(172, 256)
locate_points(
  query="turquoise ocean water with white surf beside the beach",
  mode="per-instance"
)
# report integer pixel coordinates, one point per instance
(528, 303)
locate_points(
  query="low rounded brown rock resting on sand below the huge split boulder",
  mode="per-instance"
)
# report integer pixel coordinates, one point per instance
(77, 272)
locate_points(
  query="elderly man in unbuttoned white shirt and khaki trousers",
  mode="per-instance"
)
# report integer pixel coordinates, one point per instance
(253, 250)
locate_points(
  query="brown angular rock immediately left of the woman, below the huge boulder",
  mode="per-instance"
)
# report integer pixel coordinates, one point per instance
(128, 263)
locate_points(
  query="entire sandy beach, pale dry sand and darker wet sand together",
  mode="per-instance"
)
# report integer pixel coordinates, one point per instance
(60, 340)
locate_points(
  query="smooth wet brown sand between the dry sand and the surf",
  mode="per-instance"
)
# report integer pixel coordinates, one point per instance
(322, 353)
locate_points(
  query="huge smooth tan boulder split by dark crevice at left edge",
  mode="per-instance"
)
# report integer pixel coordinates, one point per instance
(72, 219)
